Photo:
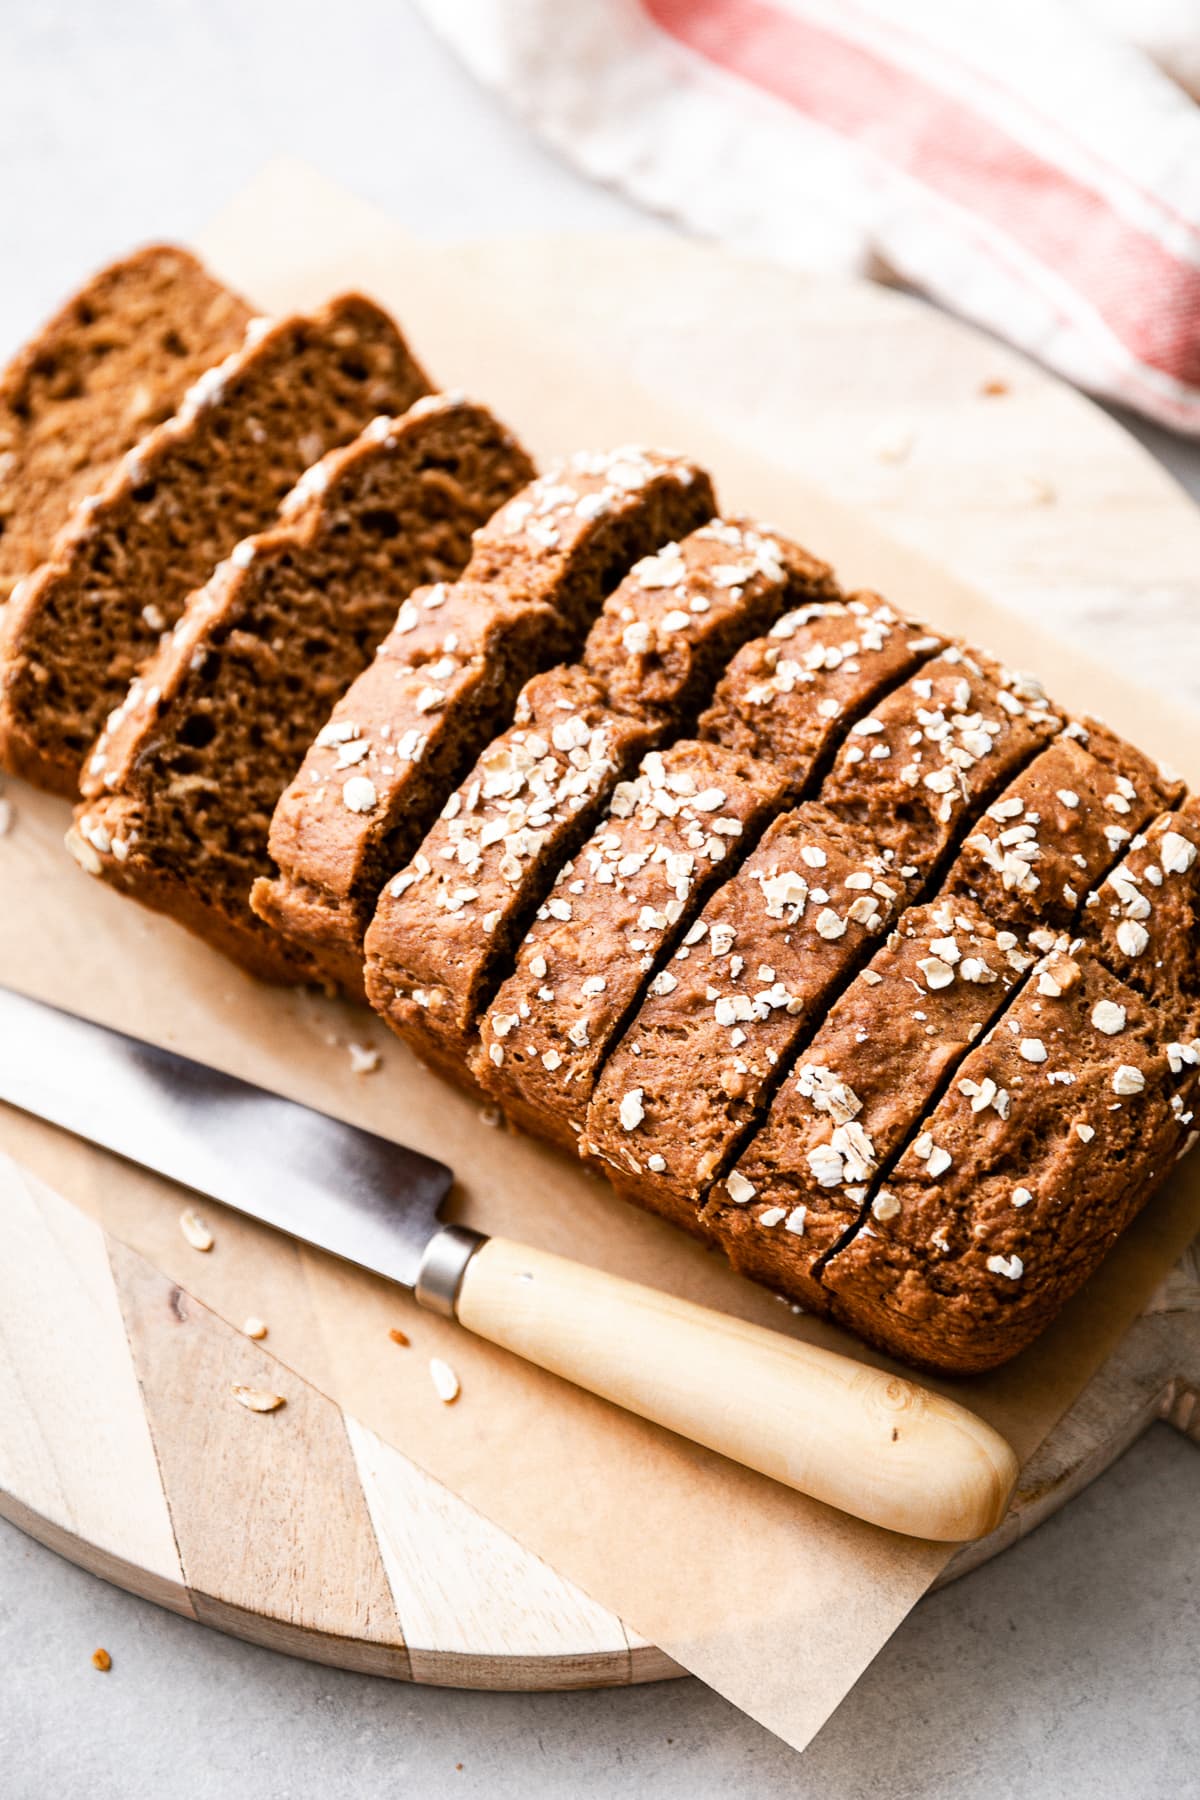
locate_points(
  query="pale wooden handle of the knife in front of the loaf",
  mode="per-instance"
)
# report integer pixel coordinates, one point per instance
(873, 1444)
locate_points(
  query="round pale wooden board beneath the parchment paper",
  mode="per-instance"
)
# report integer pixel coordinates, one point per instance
(942, 436)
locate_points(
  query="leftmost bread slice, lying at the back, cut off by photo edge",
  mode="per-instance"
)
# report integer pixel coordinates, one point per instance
(114, 363)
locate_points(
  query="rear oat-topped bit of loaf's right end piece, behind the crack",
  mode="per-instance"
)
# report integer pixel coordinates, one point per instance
(1147, 917)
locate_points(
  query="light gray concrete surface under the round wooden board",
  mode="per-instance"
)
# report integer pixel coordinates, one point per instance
(1068, 1669)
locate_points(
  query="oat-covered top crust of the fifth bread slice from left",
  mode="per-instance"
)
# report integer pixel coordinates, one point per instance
(685, 611)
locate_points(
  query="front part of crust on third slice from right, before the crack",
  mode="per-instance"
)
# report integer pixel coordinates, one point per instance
(706, 1050)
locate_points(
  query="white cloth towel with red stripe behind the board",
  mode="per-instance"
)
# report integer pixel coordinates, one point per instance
(1034, 166)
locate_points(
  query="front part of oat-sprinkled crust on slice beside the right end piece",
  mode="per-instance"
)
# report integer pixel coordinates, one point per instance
(861, 1086)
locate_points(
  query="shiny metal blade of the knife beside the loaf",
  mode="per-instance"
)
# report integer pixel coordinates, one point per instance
(332, 1185)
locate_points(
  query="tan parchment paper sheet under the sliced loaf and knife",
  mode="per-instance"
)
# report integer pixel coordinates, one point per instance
(773, 1599)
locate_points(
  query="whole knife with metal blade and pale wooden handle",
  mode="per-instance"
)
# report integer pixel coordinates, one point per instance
(855, 1437)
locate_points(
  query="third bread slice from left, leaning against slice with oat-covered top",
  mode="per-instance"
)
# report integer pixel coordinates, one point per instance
(183, 786)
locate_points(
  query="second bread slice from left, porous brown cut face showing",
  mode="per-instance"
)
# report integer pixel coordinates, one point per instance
(82, 627)
